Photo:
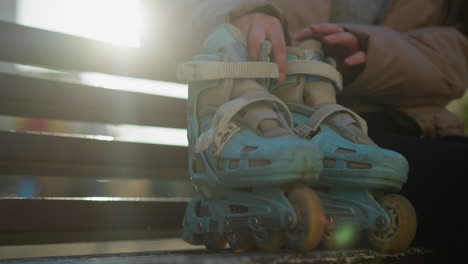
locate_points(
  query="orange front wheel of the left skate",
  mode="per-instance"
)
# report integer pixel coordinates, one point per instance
(307, 233)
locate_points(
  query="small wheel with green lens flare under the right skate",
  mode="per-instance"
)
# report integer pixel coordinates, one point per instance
(342, 236)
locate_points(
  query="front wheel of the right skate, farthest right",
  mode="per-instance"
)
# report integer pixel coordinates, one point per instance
(402, 227)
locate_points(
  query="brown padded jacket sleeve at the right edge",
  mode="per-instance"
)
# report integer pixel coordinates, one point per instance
(427, 66)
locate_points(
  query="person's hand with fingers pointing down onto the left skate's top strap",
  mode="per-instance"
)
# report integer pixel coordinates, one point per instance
(258, 27)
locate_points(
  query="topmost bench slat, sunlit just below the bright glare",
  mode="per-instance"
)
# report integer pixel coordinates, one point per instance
(32, 46)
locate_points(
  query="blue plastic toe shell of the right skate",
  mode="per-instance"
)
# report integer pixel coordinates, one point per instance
(381, 168)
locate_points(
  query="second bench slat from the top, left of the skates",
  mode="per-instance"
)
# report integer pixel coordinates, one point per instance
(50, 99)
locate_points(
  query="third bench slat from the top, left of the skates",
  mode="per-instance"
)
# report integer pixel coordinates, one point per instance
(48, 155)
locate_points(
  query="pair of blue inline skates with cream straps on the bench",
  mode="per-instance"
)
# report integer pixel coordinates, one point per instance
(282, 165)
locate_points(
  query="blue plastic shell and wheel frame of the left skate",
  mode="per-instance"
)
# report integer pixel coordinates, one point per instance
(240, 185)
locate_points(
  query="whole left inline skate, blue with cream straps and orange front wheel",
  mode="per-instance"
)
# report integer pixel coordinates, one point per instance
(248, 166)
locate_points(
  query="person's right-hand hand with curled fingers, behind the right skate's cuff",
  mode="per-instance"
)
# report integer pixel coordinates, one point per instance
(343, 46)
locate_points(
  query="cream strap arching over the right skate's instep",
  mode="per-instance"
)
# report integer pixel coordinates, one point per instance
(325, 111)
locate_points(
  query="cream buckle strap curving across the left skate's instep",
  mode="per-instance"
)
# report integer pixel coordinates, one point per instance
(222, 128)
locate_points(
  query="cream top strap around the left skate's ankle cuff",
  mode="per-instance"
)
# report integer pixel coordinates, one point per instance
(214, 70)
